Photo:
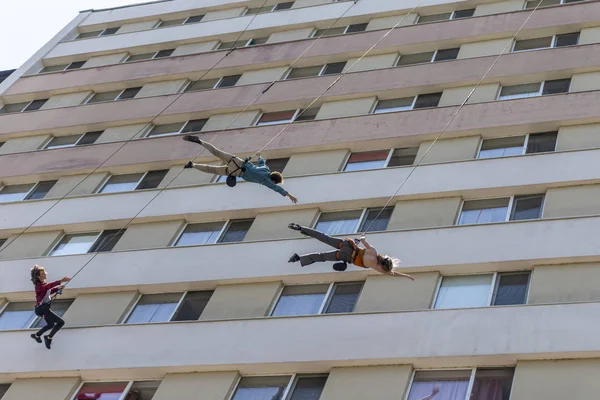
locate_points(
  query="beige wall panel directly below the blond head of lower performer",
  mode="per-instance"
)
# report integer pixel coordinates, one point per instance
(400, 294)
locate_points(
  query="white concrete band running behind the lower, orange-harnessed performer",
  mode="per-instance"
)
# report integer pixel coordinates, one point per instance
(459, 248)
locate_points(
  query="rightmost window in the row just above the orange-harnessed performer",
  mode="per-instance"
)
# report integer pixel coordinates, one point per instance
(496, 210)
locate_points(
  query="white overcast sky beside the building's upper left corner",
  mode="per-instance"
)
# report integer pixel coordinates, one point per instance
(26, 25)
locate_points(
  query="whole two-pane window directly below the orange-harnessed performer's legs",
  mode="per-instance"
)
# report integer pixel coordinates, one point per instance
(317, 299)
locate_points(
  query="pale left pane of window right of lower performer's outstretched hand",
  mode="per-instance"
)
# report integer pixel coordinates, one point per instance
(464, 291)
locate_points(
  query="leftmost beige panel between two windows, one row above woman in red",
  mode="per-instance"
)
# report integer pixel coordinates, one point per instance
(149, 236)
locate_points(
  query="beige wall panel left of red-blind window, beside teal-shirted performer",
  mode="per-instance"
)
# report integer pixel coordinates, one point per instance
(315, 163)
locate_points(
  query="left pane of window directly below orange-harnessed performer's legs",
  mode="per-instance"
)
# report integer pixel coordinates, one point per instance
(300, 300)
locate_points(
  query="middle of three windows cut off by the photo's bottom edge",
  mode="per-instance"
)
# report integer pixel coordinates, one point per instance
(300, 387)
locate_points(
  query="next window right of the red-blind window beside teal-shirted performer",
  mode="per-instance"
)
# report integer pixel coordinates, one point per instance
(518, 145)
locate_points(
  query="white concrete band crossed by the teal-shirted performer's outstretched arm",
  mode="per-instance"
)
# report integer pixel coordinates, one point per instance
(211, 202)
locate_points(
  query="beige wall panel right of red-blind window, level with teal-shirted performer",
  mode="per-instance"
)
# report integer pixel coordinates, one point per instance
(458, 149)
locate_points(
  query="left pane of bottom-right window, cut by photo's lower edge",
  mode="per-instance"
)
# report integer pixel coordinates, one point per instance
(453, 385)
